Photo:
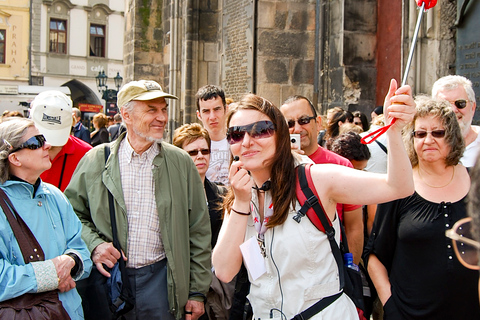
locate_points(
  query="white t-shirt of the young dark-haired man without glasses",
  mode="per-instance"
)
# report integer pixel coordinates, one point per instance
(219, 162)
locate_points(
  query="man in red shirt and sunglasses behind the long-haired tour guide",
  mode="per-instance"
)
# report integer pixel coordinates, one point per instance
(302, 118)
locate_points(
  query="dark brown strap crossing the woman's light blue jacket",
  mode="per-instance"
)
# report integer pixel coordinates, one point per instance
(31, 249)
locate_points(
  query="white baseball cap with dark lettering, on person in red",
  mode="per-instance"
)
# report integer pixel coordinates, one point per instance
(52, 113)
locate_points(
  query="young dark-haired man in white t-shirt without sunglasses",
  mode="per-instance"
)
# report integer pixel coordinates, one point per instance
(211, 111)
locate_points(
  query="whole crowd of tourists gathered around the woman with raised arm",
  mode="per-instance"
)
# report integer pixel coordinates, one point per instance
(208, 227)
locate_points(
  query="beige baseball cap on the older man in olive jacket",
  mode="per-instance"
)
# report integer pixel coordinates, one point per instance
(142, 90)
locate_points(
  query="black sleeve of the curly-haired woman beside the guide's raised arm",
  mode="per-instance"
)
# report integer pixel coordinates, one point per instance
(383, 238)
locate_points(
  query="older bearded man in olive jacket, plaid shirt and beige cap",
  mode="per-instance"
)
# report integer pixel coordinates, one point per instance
(160, 209)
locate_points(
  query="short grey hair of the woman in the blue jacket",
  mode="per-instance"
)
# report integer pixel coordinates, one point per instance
(12, 131)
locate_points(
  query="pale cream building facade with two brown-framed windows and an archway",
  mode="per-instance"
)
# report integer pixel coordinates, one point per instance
(65, 44)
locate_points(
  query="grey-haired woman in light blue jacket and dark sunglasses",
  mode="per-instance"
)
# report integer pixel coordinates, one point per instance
(47, 213)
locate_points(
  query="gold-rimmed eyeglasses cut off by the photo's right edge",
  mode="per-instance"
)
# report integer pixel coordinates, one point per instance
(466, 249)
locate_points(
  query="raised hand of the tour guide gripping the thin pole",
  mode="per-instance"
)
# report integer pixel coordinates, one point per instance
(399, 104)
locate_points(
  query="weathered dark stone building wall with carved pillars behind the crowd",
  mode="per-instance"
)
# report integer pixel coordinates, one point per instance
(335, 52)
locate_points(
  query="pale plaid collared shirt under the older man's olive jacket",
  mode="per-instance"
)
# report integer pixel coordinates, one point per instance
(144, 242)
